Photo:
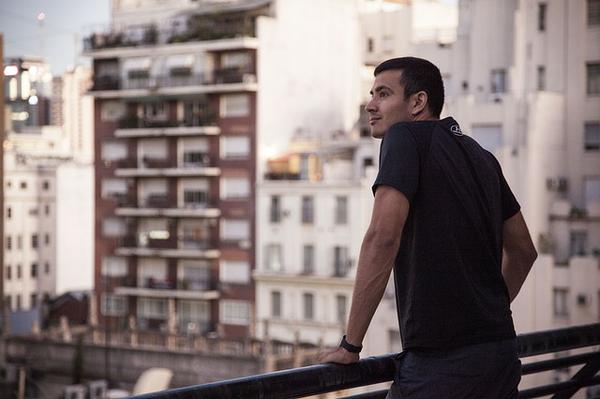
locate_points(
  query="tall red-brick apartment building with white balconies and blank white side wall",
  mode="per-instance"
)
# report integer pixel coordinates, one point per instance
(188, 97)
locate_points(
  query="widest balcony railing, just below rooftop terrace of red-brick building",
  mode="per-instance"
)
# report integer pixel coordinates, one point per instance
(218, 76)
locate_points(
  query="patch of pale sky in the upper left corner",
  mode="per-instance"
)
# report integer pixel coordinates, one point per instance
(60, 38)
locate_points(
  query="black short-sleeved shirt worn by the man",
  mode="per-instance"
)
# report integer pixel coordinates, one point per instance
(449, 286)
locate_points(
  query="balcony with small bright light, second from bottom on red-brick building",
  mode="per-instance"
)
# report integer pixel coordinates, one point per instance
(165, 248)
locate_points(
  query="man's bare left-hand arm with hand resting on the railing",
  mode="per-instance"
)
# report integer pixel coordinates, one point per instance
(375, 263)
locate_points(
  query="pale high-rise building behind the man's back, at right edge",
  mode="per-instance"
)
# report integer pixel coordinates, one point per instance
(529, 91)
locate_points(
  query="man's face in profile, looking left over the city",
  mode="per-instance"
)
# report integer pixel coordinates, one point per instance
(387, 105)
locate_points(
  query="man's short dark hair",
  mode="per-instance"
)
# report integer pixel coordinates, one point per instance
(418, 75)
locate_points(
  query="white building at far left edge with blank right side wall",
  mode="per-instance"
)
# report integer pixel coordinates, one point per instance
(48, 218)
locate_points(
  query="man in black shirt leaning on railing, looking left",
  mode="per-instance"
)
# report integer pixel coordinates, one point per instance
(446, 221)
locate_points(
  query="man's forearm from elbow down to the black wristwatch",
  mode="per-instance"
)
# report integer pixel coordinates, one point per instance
(375, 264)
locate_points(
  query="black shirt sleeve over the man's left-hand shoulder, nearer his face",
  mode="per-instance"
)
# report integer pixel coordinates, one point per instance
(398, 162)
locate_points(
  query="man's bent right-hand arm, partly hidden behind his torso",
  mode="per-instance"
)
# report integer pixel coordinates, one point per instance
(519, 253)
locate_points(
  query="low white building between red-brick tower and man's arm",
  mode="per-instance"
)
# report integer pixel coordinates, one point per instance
(309, 238)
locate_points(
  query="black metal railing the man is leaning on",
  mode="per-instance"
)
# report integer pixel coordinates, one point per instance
(323, 378)
